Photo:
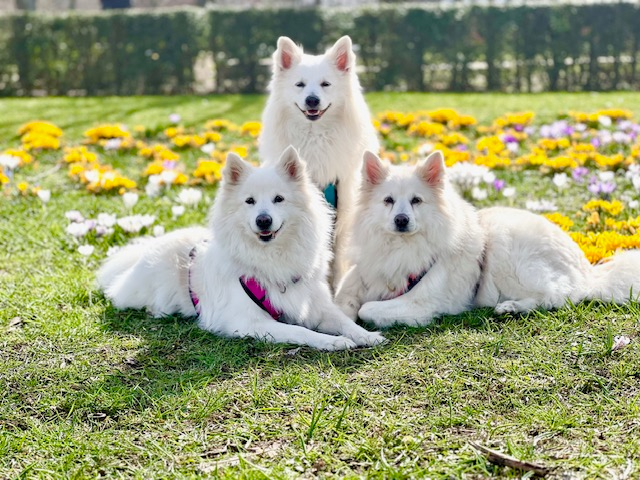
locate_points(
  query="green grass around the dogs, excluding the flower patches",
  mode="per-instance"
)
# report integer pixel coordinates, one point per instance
(88, 391)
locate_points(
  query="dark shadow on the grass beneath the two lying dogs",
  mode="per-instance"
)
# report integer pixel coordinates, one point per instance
(176, 346)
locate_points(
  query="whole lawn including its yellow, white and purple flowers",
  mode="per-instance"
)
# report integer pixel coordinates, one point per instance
(89, 391)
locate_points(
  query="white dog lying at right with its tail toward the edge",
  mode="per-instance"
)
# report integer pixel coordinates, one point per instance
(423, 251)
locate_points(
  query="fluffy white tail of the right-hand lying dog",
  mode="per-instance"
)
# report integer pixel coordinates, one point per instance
(617, 279)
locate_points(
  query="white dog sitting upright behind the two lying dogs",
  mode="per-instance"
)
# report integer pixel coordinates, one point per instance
(316, 105)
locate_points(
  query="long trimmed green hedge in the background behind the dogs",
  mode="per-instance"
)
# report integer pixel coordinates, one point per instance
(525, 48)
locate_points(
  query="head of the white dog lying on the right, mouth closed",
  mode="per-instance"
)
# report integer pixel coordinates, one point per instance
(403, 200)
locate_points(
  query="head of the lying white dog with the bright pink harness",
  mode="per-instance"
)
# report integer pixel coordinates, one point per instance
(263, 203)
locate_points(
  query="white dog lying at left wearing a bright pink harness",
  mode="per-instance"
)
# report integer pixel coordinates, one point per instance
(259, 270)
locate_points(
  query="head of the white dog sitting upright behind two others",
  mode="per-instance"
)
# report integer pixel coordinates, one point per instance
(313, 84)
